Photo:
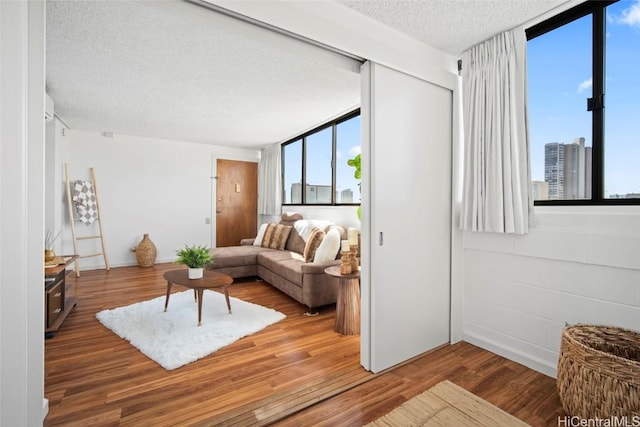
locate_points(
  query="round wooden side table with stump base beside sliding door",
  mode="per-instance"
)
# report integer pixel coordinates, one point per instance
(348, 304)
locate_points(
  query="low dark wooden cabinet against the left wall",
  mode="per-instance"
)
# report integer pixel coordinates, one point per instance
(59, 296)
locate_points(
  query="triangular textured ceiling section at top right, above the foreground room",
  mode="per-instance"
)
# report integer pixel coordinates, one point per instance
(452, 26)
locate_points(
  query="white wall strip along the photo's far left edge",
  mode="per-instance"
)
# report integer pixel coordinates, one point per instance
(21, 213)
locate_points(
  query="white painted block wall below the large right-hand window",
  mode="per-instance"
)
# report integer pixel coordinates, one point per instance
(579, 265)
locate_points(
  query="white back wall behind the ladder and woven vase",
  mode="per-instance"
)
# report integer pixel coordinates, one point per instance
(145, 185)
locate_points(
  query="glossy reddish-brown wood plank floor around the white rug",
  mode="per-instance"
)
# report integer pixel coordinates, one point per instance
(297, 372)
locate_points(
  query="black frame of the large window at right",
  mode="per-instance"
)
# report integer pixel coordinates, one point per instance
(598, 33)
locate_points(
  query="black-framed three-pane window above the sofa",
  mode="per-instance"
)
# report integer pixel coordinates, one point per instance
(317, 163)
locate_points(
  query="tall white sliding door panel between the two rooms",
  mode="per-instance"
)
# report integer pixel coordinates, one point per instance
(407, 144)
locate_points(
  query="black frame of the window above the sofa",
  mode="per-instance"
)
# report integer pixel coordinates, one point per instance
(333, 124)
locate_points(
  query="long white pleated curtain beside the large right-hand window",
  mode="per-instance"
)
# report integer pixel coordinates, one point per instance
(496, 195)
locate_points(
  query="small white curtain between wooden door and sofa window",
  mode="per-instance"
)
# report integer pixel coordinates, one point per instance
(269, 181)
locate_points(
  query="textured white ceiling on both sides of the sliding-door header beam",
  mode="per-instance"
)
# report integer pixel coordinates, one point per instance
(174, 70)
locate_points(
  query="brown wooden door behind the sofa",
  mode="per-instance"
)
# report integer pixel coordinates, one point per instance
(236, 201)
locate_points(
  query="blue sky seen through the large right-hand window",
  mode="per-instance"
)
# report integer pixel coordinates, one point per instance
(559, 75)
